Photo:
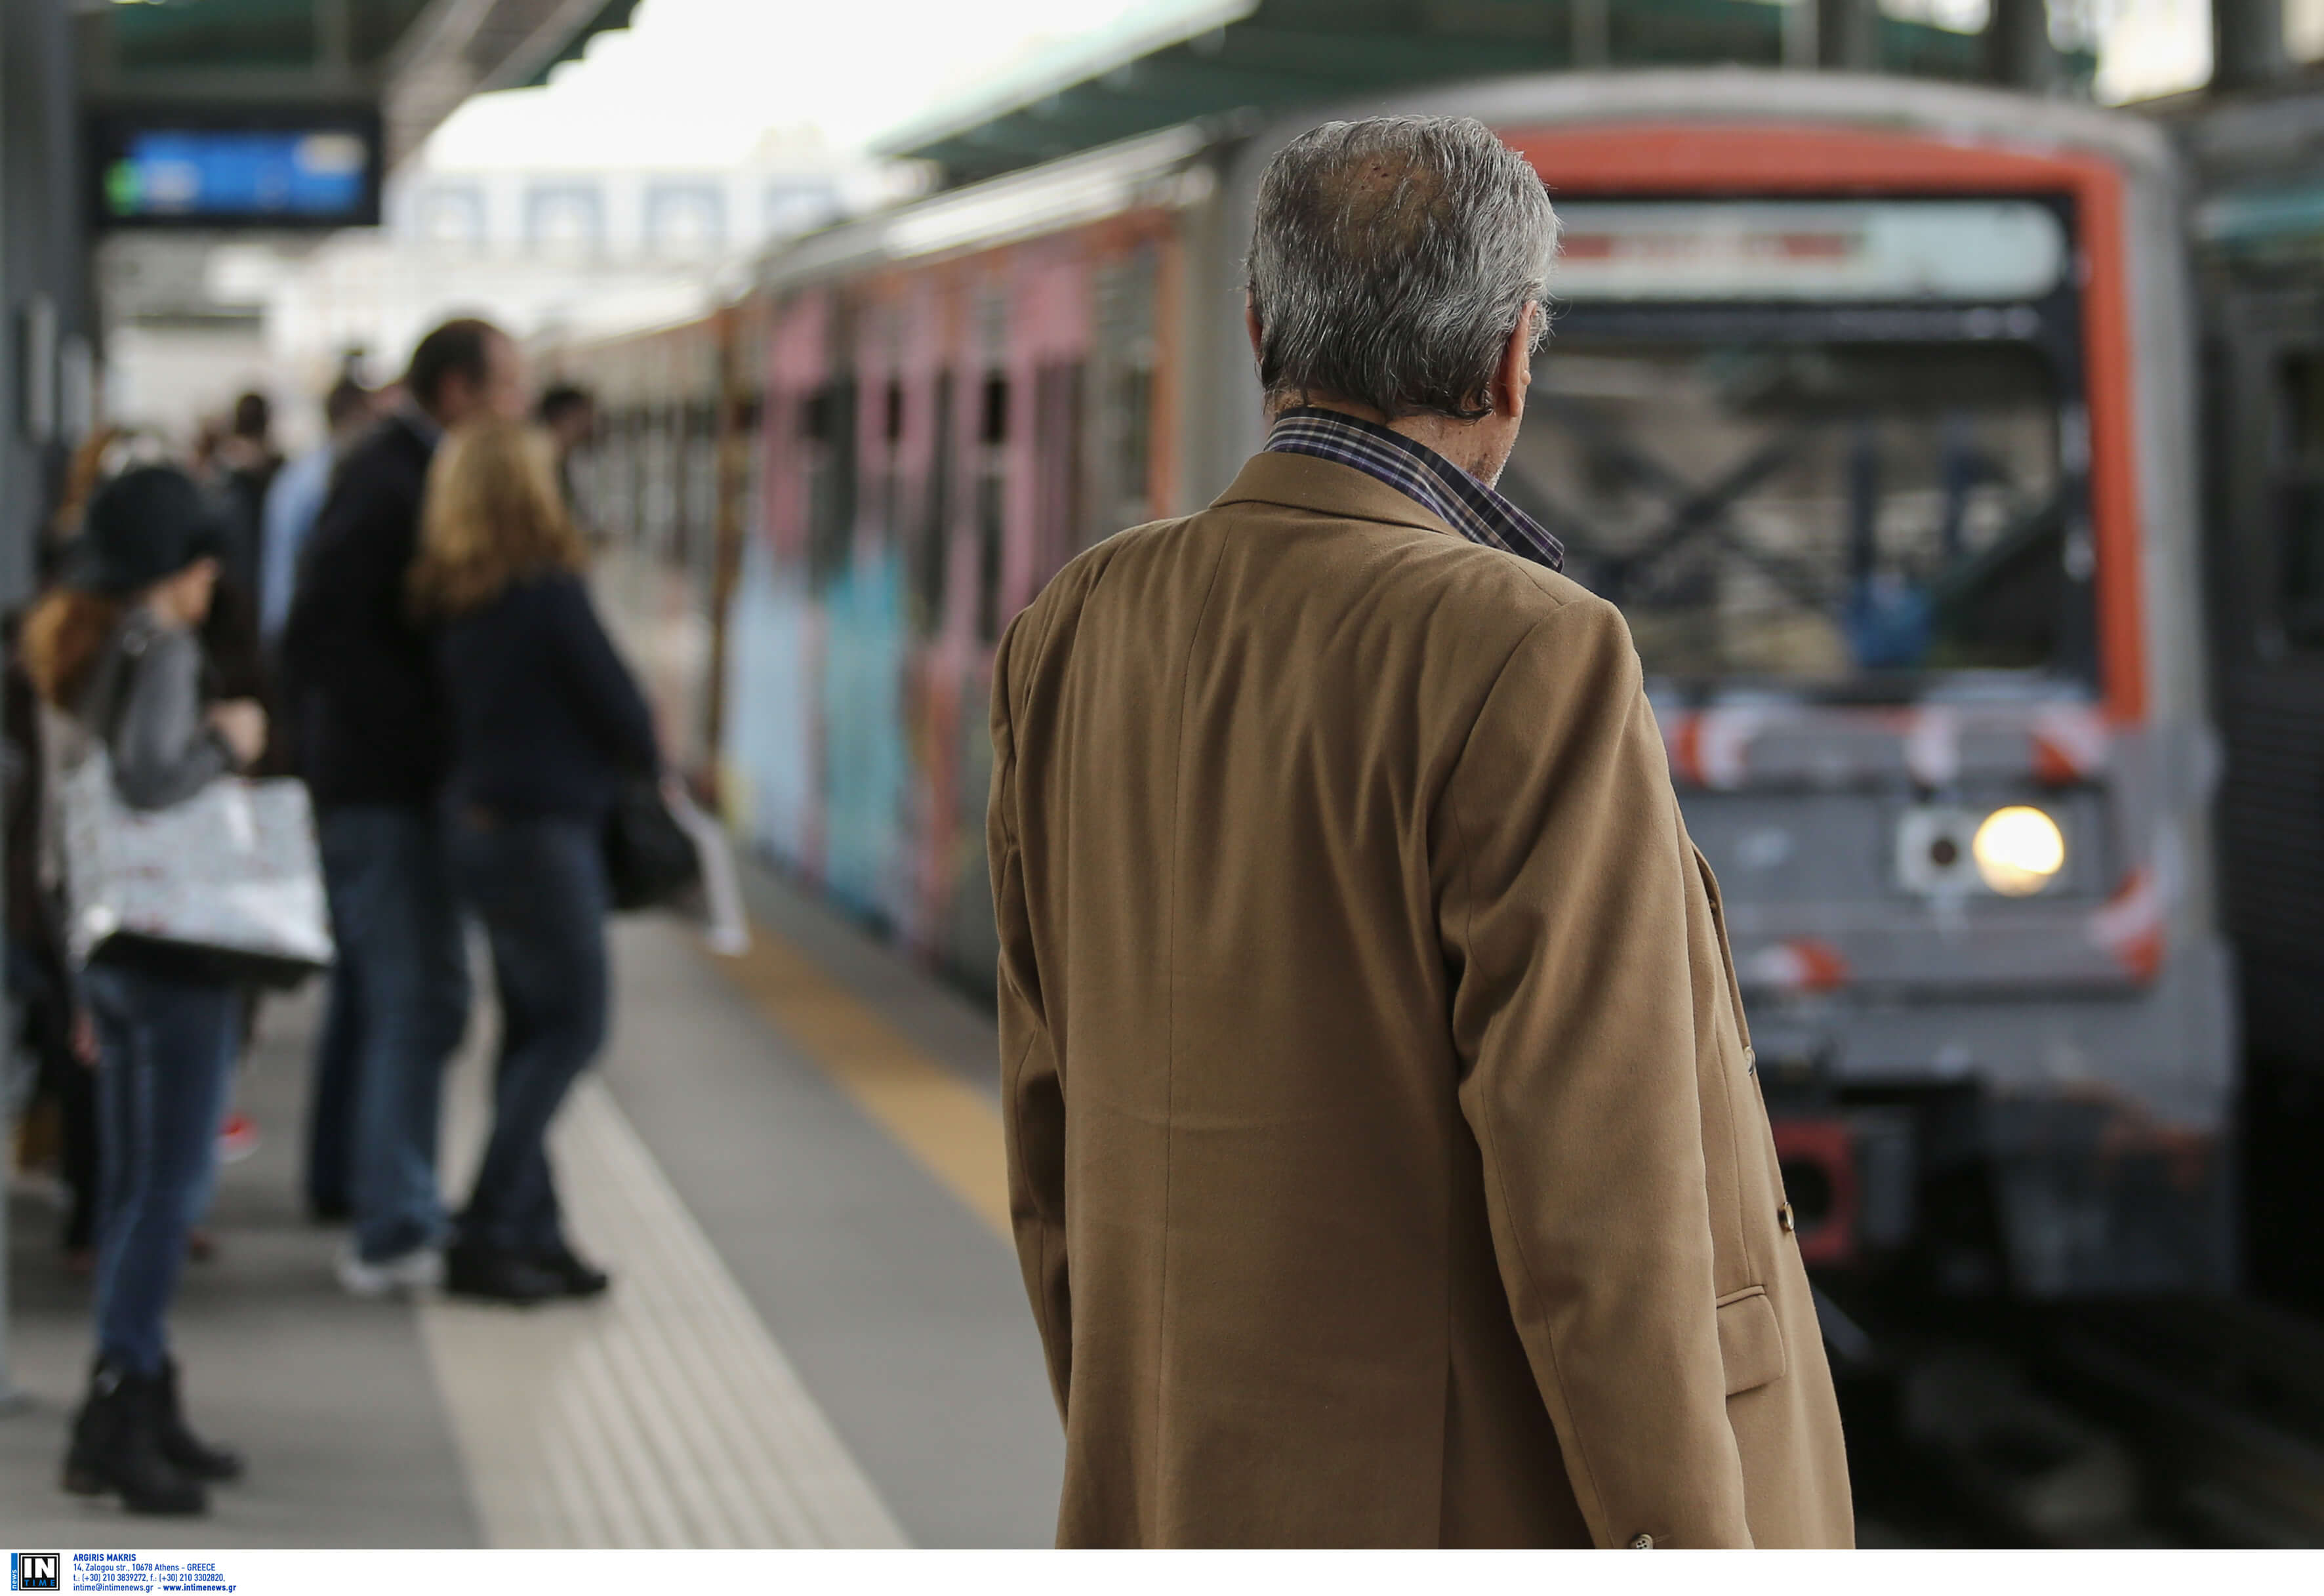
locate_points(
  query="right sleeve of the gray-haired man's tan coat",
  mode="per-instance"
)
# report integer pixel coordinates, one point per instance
(1565, 923)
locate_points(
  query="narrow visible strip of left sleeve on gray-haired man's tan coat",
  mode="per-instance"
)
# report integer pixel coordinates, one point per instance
(1033, 1091)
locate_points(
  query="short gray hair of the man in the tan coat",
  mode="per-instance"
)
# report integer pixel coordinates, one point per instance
(1391, 261)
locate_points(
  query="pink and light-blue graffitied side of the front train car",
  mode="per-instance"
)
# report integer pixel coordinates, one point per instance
(938, 443)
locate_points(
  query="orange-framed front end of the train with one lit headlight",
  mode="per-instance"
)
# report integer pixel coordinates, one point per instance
(1867, 422)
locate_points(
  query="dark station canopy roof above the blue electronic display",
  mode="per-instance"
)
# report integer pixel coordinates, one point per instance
(417, 59)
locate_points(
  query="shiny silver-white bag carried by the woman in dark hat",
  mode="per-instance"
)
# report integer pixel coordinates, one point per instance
(227, 879)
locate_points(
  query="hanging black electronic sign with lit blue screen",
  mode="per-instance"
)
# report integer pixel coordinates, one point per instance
(234, 168)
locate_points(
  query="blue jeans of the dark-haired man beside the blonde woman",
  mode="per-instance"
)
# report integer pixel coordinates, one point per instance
(403, 963)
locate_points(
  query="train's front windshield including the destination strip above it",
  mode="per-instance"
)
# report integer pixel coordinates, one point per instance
(1823, 450)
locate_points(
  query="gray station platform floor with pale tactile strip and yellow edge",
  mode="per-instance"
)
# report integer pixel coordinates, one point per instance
(817, 1335)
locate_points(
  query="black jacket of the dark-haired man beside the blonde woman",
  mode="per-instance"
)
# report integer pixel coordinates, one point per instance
(359, 675)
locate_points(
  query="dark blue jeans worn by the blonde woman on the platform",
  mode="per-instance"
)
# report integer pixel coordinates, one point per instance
(540, 891)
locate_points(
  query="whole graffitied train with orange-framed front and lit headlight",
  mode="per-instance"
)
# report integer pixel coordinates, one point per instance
(1870, 401)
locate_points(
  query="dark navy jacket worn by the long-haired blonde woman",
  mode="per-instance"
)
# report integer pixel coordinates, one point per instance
(545, 714)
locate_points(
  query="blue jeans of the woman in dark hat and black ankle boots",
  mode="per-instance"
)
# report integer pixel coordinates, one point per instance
(166, 1056)
